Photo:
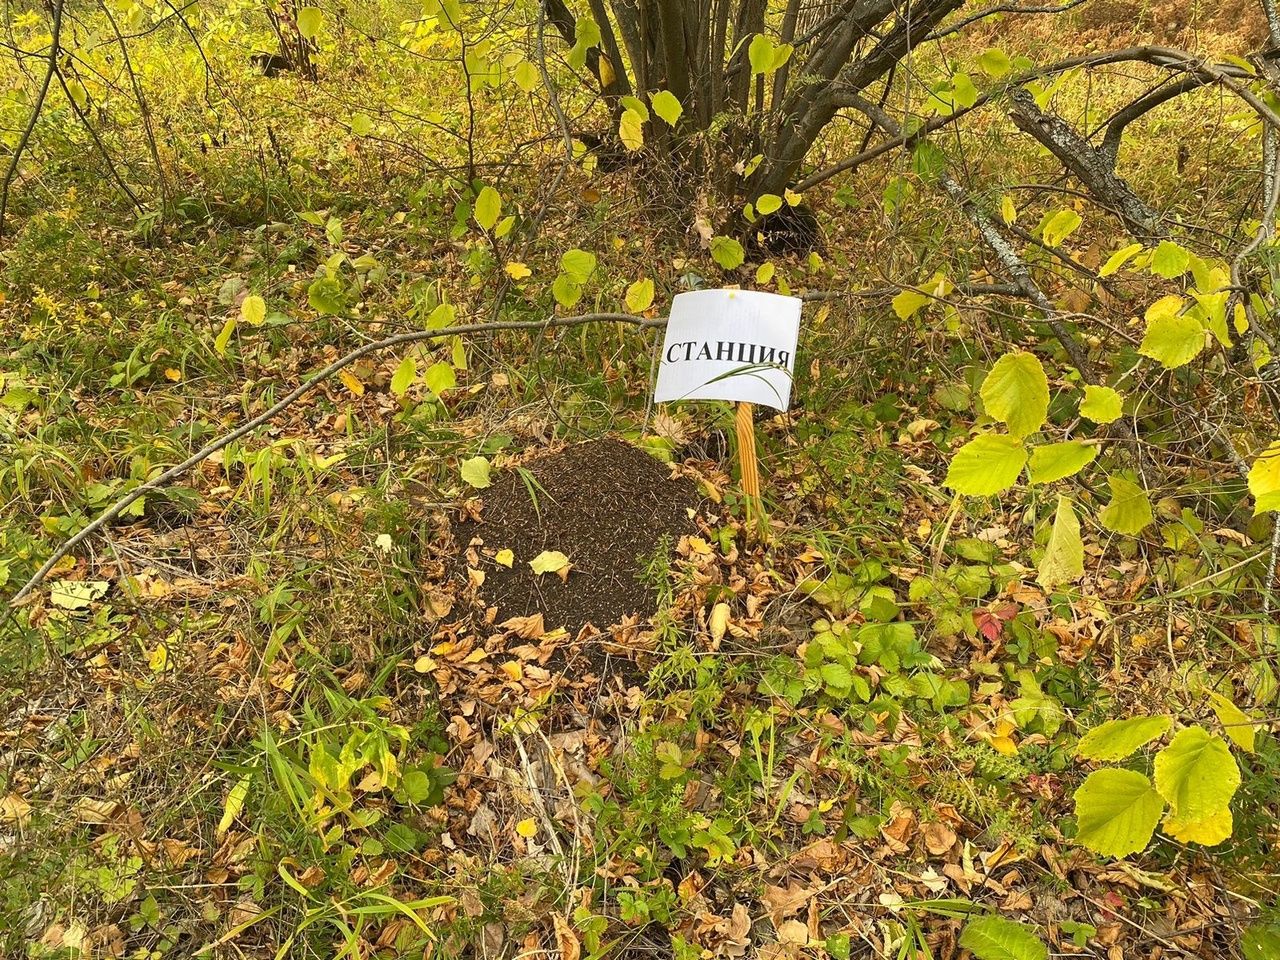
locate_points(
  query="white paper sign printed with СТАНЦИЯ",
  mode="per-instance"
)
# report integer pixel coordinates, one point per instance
(730, 345)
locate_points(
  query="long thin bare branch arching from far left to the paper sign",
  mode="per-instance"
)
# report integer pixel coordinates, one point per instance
(303, 390)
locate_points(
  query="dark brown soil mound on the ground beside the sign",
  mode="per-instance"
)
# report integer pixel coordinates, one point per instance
(605, 505)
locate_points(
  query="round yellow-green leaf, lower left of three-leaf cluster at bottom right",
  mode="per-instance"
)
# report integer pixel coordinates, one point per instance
(1117, 812)
